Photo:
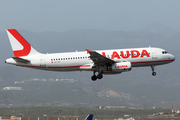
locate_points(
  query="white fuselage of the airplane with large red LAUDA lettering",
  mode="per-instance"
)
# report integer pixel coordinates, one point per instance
(79, 61)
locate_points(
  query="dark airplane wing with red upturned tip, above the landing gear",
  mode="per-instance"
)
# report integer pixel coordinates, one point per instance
(99, 59)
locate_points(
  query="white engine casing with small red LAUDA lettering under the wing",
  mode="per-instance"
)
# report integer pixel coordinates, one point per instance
(121, 67)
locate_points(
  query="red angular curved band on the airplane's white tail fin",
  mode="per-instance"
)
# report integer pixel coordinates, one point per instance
(26, 46)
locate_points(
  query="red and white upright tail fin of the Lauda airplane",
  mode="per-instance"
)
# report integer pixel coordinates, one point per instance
(19, 45)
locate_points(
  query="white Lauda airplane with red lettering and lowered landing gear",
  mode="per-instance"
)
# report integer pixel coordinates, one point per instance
(108, 62)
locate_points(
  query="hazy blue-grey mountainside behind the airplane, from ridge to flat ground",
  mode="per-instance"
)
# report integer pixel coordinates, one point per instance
(137, 88)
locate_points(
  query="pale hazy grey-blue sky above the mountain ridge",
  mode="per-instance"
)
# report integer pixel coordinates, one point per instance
(62, 15)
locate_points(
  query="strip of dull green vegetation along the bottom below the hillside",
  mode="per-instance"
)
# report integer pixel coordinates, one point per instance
(77, 112)
